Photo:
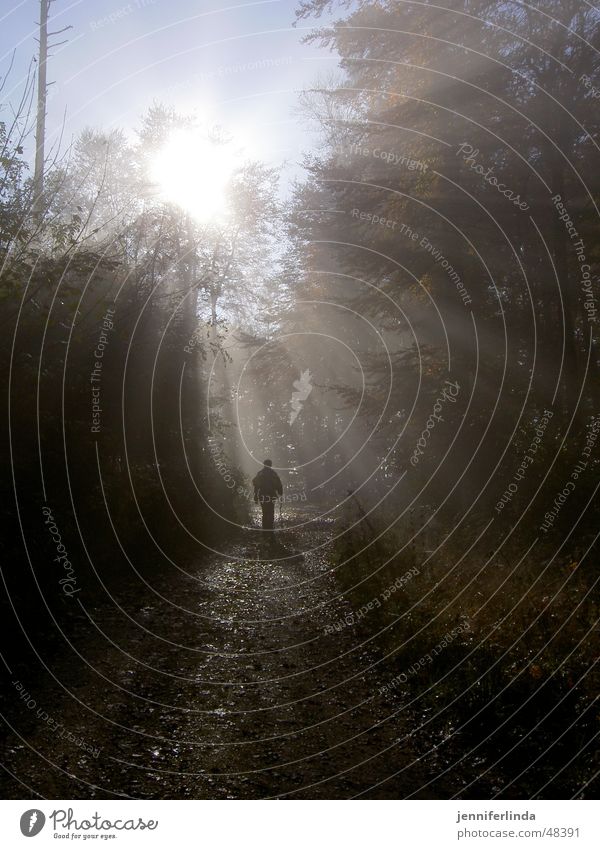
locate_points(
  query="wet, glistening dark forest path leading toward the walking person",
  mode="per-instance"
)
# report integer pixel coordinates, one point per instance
(229, 686)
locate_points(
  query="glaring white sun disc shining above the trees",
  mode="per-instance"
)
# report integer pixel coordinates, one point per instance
(194, 172)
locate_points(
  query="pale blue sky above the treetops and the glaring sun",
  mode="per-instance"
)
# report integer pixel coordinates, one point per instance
(238, 65)
